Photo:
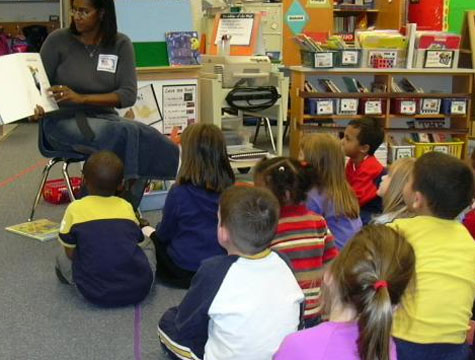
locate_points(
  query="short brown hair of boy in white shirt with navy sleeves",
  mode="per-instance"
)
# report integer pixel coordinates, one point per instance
(250, 215)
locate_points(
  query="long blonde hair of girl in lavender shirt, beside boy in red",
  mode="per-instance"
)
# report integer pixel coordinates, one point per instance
(325, 154)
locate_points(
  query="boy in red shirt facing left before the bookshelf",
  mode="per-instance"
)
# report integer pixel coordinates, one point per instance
(363, 171)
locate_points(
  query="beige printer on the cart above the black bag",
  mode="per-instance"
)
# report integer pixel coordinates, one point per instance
(238, 70)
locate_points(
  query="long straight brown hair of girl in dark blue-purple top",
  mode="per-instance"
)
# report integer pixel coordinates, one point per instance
(205, 161)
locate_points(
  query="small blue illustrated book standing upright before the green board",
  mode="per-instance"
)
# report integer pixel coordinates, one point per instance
(183, 47)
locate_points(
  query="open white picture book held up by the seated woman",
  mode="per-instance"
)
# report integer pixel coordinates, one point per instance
(24, 85)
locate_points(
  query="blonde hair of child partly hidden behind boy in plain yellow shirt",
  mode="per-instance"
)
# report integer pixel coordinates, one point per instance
(399, 172)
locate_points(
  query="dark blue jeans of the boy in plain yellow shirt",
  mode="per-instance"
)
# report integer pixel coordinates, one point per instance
(411, 351)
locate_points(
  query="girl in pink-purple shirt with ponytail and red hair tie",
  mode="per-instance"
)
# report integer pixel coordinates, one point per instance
(361, 289)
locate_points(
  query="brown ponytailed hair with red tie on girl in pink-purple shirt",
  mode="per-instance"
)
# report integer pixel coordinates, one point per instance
(376, 253)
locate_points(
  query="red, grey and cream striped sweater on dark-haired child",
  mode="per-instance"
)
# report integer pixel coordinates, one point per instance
(305, 238)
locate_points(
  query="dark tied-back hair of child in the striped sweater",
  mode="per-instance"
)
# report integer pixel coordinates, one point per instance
(288, 179)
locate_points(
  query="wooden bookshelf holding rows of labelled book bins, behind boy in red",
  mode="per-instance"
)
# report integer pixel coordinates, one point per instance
(450, 83)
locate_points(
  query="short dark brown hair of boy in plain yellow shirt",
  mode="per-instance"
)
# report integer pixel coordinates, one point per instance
(446, 182)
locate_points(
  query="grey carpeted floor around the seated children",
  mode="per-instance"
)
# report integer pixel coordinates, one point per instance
(40, 317)
